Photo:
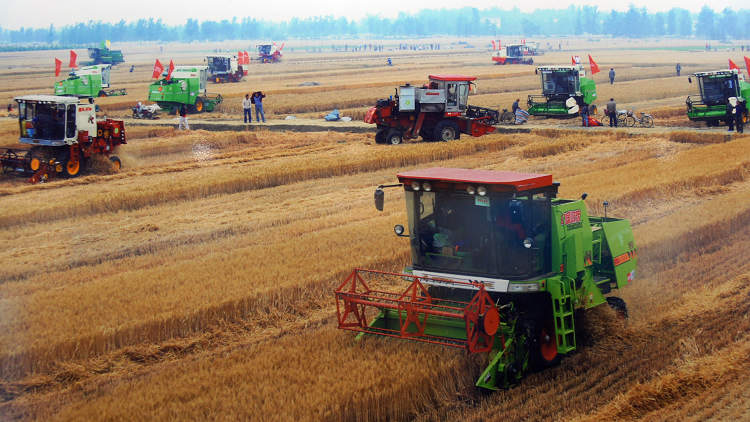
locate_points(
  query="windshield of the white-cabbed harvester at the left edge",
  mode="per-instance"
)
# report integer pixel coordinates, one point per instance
(42, 121)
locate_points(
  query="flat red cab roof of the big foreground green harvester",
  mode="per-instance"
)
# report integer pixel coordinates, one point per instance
(519, 181)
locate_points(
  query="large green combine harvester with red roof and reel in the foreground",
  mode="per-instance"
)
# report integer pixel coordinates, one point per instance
(500, 265)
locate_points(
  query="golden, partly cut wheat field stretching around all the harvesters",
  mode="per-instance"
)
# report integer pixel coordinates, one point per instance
(197, 282)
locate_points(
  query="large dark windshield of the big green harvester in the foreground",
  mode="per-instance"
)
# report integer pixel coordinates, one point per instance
(452, 231)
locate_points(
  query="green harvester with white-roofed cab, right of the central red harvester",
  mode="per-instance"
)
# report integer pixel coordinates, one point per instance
(564, 90)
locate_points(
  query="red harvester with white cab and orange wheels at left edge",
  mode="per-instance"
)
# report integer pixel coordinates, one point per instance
(64, 134)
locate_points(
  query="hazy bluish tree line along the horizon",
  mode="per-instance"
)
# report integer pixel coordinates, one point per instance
(575, 20)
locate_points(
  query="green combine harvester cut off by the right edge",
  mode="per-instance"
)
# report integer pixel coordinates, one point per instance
(715, 89)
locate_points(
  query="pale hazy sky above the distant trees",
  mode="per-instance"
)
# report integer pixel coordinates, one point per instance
(40, 13)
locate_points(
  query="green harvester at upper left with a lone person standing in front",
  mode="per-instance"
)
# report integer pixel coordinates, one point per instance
(186, 86)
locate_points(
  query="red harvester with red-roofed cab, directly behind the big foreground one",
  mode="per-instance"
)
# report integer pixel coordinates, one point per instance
(438, 111)
